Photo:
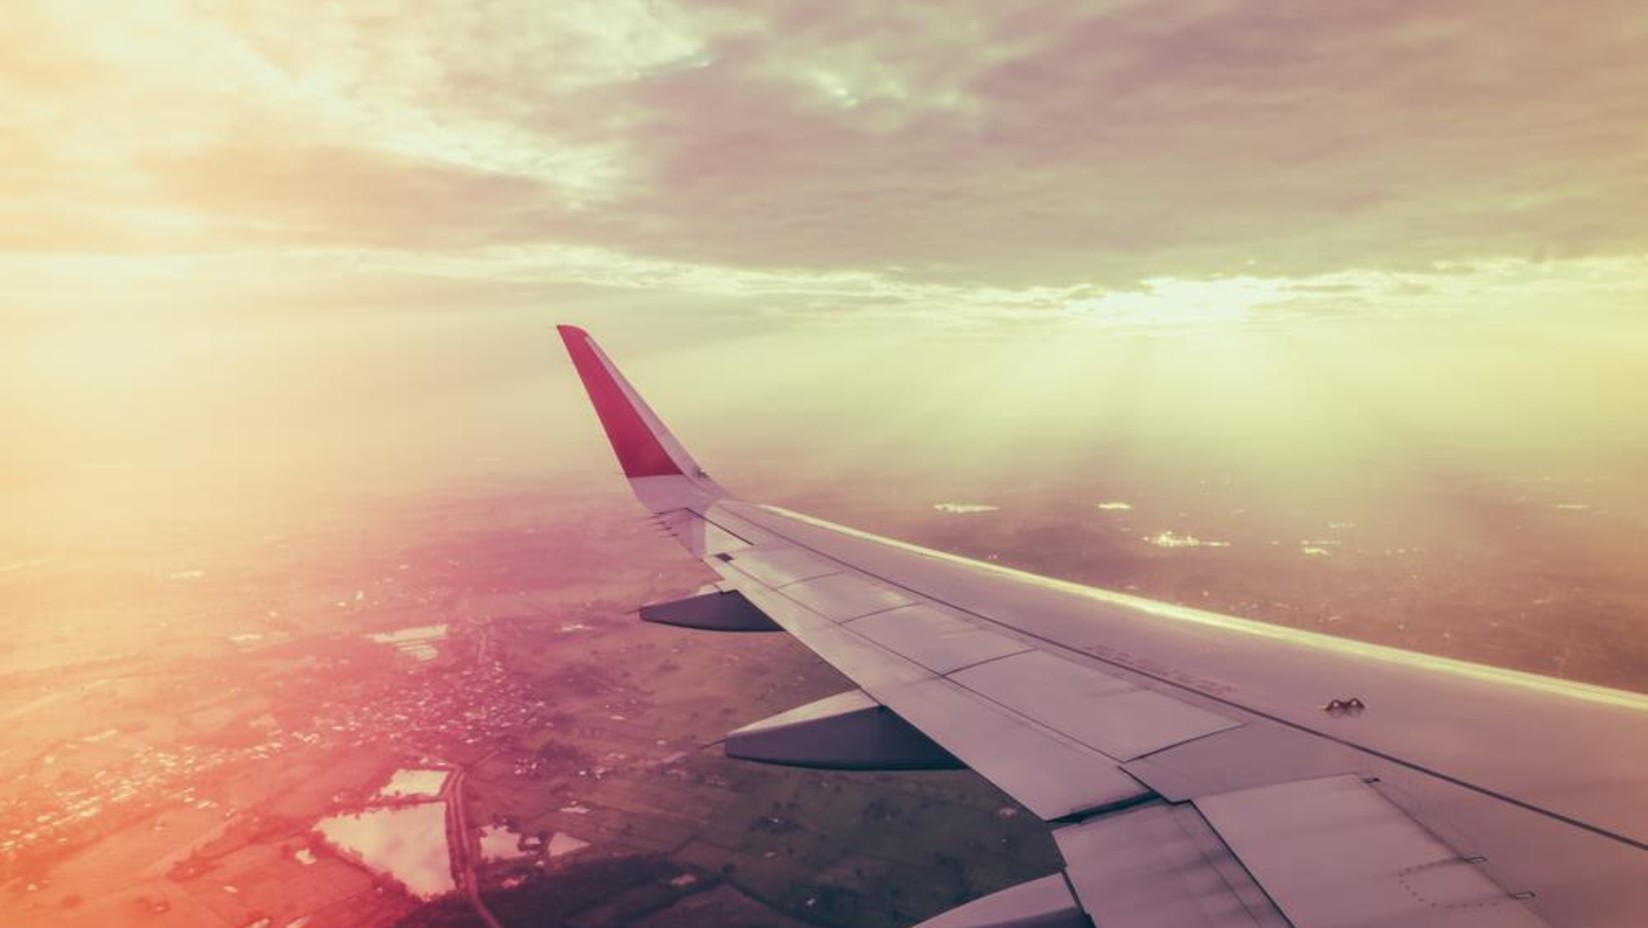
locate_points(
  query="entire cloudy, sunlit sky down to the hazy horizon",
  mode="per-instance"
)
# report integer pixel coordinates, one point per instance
(255, 246)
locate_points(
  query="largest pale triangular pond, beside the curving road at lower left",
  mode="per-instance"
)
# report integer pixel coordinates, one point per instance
(408, 843)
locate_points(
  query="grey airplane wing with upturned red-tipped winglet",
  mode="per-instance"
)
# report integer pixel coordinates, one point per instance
(1197, 771)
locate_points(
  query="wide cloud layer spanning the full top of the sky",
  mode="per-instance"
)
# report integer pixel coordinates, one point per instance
(960, 156)
